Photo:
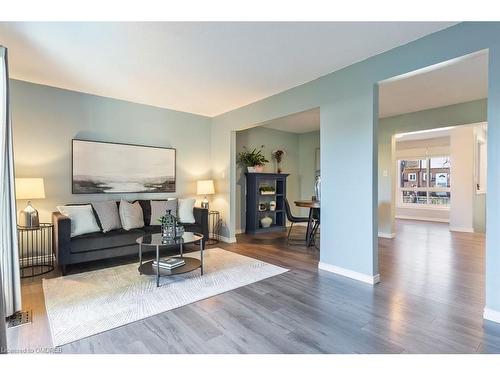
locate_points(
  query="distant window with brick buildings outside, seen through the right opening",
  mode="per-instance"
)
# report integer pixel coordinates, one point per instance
(425, 182)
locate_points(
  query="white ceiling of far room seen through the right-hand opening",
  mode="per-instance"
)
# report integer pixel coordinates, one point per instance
(458, 81)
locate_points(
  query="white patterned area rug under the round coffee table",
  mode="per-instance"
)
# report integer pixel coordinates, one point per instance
(88, 303)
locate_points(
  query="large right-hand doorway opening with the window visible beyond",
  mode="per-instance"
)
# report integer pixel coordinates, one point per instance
(432, 162)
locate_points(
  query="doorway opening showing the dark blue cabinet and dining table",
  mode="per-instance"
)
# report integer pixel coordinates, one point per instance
(276, 200)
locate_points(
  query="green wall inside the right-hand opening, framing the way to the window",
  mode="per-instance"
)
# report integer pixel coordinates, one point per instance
(458, 114)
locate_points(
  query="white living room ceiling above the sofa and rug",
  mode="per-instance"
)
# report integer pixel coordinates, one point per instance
(204, 68)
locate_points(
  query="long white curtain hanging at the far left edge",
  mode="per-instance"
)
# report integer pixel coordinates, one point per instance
(9, 256)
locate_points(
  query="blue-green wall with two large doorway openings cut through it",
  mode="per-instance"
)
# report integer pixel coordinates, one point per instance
(348, 101)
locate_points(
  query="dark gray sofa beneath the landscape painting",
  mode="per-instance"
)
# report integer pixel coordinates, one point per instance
(116, 243)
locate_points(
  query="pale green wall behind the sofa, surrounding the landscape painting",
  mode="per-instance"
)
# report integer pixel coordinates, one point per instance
(45, 119)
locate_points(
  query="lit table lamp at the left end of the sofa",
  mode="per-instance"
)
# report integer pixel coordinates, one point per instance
(29, 188)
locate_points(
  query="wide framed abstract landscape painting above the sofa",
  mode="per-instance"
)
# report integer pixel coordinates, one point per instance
(101, 167)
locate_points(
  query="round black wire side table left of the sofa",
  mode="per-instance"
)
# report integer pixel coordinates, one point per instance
(35, 250)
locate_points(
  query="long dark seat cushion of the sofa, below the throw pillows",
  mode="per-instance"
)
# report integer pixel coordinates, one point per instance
(98, 241)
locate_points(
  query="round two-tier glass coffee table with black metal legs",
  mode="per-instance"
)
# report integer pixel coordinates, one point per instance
(156, 240)
